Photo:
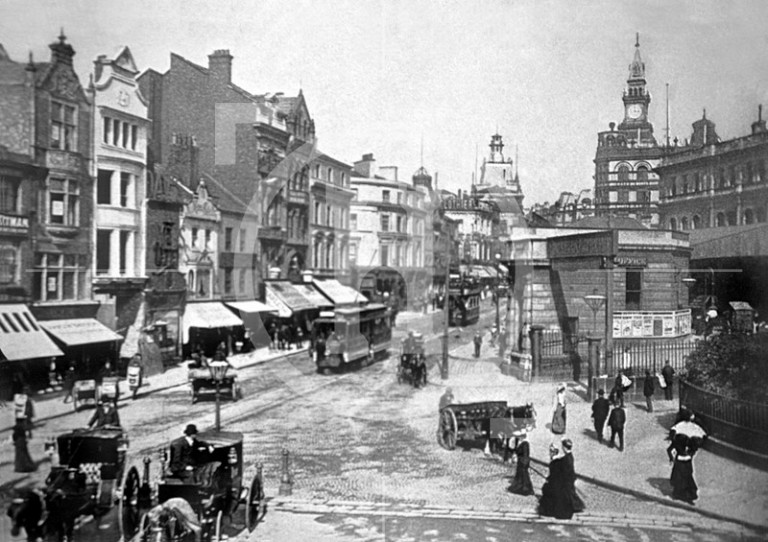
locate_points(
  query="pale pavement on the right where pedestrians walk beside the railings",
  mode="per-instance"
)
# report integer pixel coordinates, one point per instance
(729, 490)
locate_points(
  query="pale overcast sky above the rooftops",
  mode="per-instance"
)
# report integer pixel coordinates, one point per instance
(380, 75)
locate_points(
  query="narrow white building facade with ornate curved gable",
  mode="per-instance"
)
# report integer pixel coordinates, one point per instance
(120, 143)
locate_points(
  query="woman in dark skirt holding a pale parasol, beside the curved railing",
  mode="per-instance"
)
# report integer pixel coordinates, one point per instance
(686, 437)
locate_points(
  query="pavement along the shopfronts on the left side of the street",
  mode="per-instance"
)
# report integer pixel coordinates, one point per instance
(50, 406)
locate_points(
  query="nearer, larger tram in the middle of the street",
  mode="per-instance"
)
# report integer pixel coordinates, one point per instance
(349, 335)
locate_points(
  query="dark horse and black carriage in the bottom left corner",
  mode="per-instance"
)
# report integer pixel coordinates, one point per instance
(86, 482)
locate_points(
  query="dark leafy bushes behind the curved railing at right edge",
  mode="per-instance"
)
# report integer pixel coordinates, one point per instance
(734, 365)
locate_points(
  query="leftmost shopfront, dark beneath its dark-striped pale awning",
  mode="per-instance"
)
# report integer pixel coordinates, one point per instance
(26, 351)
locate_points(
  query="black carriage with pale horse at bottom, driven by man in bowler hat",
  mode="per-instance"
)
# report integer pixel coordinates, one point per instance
(175, 507)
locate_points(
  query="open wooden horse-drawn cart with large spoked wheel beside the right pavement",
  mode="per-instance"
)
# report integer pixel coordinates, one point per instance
(491, 420)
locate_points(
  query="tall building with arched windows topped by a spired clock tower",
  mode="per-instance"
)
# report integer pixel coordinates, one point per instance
(625, 181)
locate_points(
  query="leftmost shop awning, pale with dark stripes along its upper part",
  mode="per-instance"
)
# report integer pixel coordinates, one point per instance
(22, 337)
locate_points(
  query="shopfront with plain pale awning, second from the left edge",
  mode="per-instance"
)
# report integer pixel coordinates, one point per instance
(86, 342)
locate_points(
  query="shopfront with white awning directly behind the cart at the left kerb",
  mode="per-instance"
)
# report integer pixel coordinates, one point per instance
(208, 324)
